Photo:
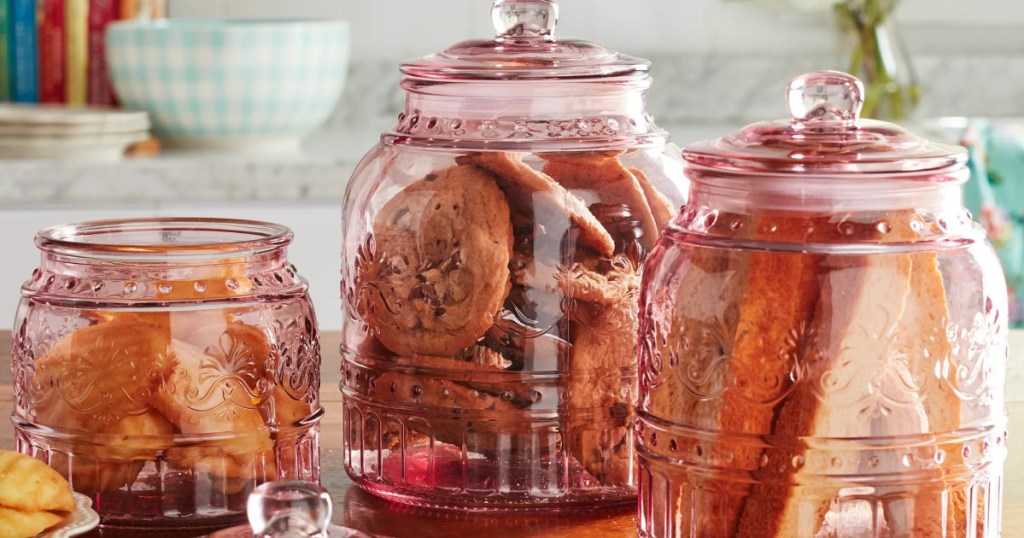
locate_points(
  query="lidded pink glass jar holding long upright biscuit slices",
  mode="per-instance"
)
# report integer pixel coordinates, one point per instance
(823, 338)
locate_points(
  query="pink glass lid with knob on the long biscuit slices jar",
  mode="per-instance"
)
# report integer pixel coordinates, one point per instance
(825, 136)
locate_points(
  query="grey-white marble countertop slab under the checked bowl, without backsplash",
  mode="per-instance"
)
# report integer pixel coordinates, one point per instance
(317, 173)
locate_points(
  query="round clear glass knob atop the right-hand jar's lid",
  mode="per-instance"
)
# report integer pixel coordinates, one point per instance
(826, 98)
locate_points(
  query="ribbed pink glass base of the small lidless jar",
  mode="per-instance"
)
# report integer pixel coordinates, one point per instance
(165, 493)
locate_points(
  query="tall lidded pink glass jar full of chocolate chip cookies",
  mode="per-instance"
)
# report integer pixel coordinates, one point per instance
(493, 246)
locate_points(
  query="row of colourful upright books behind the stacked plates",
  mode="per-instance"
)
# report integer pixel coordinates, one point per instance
(54, 51)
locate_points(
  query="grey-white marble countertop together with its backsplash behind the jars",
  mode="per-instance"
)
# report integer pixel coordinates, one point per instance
(695, 97)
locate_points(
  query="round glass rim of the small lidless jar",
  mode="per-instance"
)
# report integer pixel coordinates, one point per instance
(163, 238)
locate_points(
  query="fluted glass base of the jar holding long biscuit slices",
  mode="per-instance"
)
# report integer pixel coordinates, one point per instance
(680, 498)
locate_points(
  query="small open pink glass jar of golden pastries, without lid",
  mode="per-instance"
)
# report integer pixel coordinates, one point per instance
(167, 367)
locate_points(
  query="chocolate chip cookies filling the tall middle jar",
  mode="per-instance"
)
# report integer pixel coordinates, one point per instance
(496, 266)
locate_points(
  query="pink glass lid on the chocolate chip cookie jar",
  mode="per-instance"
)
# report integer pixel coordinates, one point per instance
(525, 49)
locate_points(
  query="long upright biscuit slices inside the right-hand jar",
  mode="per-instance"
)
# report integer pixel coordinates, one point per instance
(787, 315)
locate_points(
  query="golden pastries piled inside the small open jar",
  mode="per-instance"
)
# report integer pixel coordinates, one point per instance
(137, 383)
